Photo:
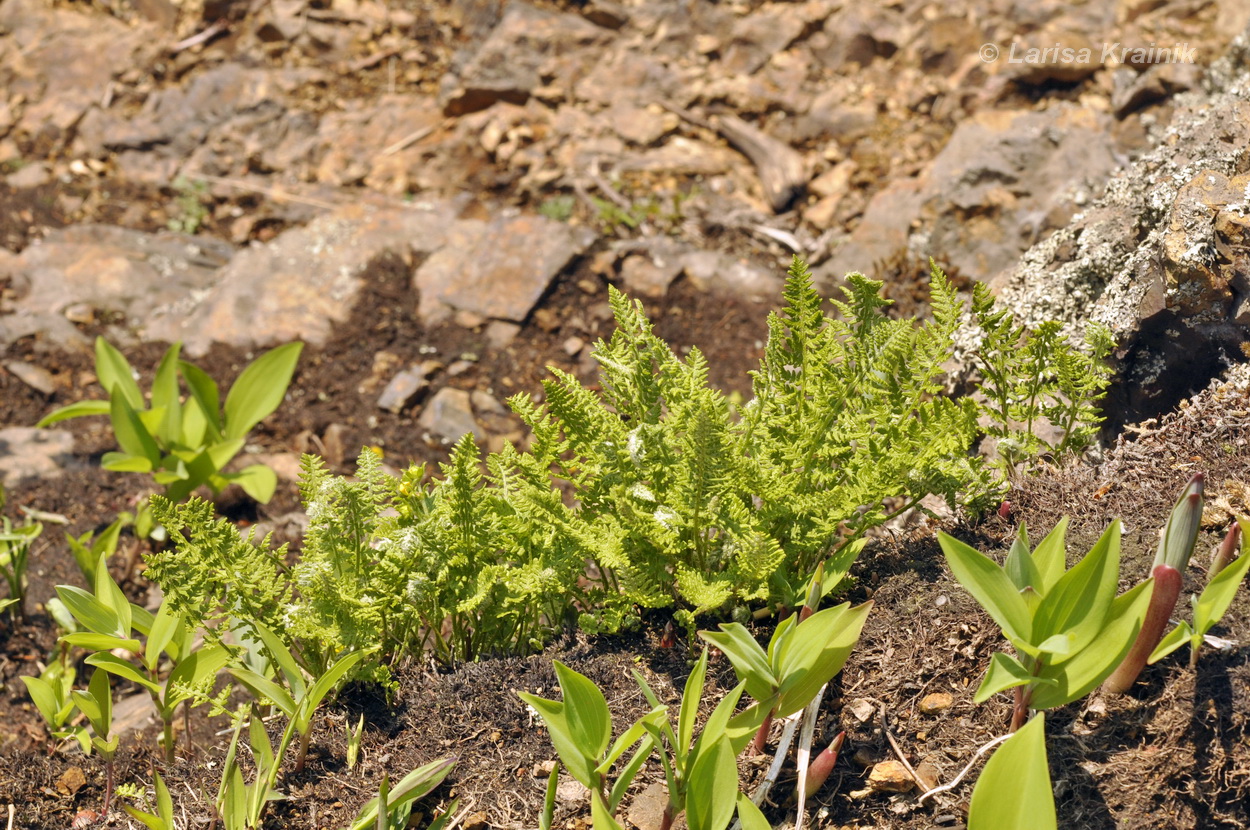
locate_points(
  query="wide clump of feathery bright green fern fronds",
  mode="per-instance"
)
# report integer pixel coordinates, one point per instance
(654, 492)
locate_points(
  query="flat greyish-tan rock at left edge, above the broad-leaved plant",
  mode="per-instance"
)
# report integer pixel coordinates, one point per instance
(117, 269)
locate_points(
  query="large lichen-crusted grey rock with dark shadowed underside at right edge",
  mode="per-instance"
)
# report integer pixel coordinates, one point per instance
(1164, 257)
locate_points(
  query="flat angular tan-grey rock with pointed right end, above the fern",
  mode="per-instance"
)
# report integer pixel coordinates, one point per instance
(498, 269)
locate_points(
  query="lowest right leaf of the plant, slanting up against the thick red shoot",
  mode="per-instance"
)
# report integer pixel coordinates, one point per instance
(1082, 673)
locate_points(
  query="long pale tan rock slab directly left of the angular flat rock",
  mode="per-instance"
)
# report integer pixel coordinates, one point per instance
(312, 279)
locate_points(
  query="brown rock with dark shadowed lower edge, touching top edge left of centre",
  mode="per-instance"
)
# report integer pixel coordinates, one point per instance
(509, 64)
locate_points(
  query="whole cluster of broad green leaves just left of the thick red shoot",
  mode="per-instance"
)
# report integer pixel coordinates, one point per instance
(1069, 628)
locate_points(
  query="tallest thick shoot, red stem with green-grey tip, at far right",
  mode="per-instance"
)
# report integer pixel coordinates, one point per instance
(1176, 549)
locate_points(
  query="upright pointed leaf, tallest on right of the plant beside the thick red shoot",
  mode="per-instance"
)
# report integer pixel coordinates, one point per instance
(1078, 604)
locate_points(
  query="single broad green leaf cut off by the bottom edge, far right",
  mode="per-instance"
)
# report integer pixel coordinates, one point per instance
(1014, 789)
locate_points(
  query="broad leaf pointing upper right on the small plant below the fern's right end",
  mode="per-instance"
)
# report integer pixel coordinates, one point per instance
(817, 652)
